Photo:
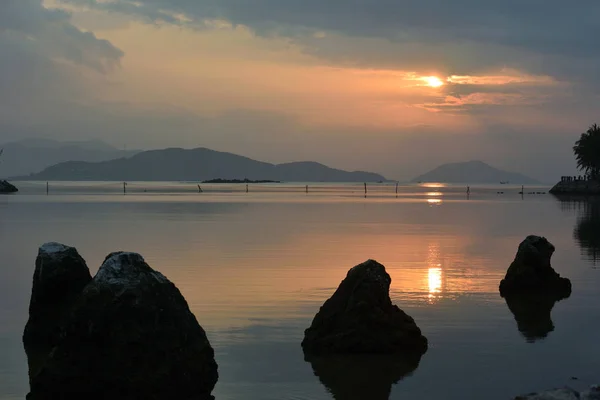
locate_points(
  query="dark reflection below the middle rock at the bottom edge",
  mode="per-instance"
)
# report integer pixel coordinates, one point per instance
(361, 376)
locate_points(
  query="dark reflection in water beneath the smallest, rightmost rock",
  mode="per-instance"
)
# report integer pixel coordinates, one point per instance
(532, 312)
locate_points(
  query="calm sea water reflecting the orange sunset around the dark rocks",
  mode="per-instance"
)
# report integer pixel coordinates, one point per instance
(256, 266)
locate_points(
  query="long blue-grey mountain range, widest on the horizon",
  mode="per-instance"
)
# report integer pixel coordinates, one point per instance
(175, 164)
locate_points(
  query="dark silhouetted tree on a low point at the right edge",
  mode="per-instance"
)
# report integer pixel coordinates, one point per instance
(587, 154)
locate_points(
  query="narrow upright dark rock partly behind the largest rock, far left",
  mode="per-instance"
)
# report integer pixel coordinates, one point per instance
(59, 278)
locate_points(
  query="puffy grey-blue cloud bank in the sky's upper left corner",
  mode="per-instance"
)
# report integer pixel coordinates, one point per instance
(44, 60)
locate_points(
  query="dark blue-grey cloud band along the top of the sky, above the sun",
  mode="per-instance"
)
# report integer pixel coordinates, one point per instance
(451, 34)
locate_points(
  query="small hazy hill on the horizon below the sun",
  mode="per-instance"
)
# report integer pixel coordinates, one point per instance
(472, 172)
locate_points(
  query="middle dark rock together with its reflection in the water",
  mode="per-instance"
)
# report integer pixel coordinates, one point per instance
(359, 344)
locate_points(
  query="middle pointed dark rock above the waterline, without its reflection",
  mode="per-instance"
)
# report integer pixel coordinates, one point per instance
(360, 318)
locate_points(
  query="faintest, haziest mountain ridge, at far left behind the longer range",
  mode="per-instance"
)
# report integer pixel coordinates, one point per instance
(33, 155)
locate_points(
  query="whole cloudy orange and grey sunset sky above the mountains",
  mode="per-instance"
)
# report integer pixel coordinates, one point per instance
(391, 86)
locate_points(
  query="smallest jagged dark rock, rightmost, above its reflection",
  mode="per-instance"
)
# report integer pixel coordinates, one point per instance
(531, 270)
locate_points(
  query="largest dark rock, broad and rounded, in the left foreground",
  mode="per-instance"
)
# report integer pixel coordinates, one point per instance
(130, 335)
